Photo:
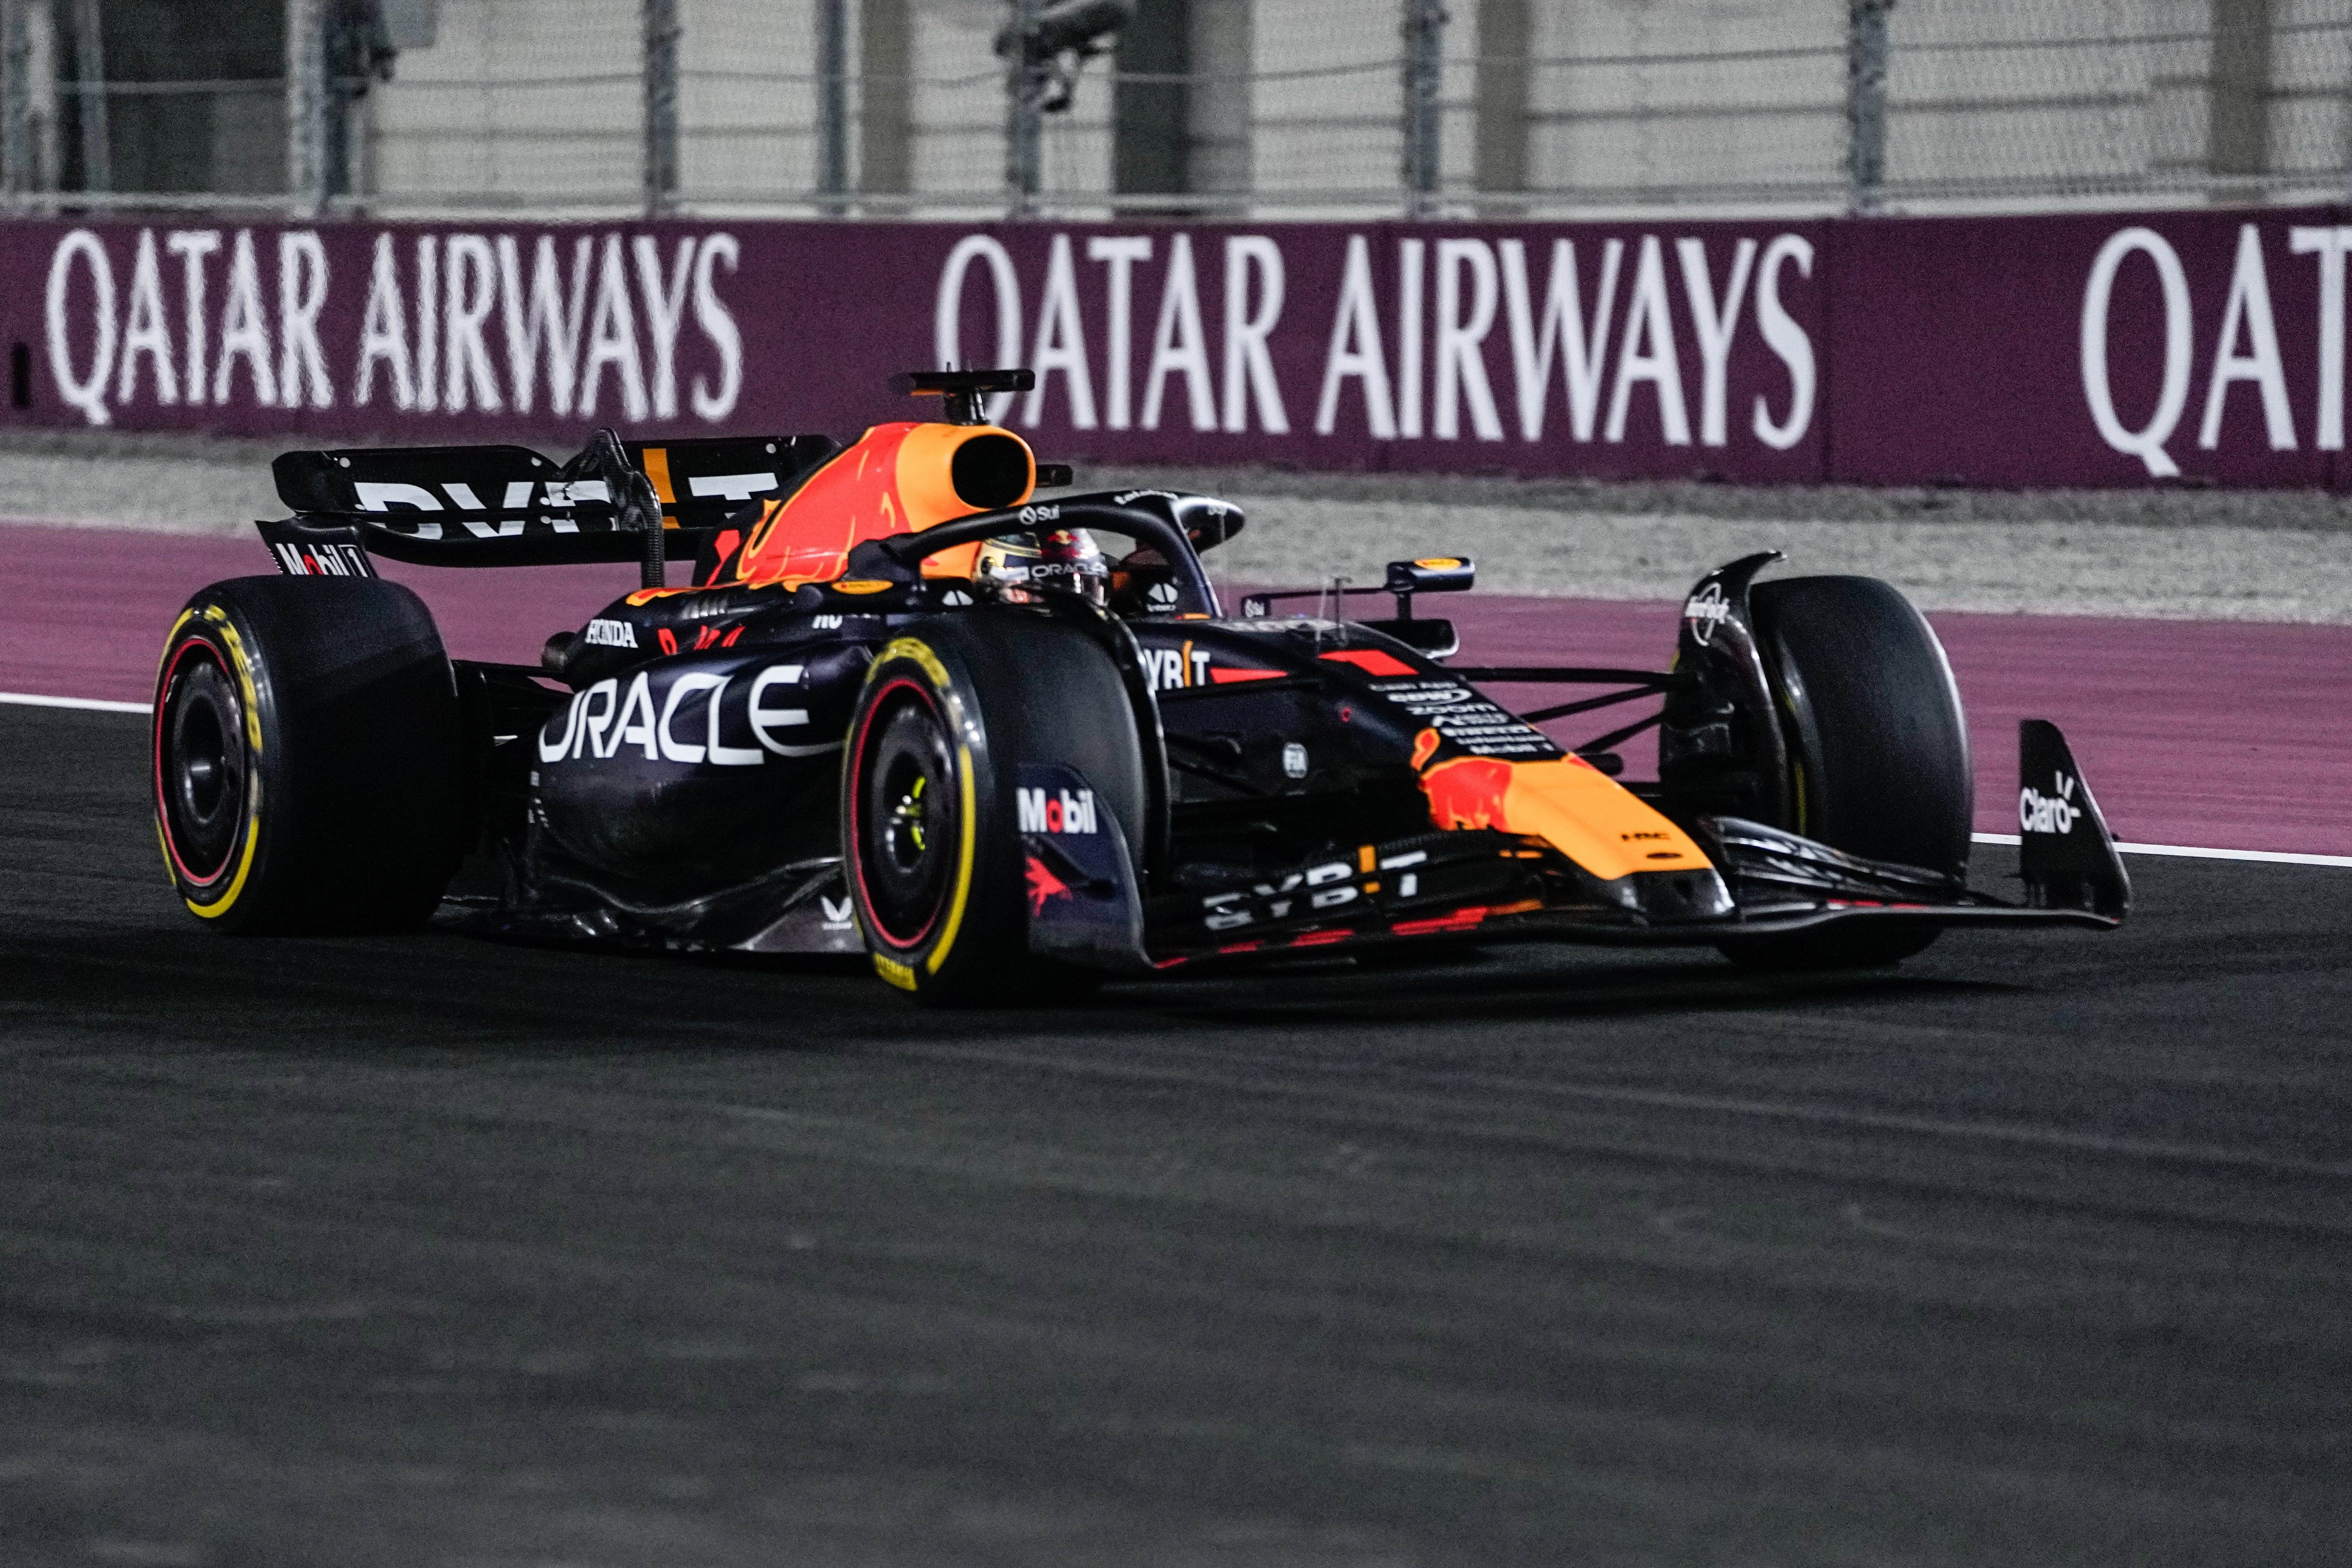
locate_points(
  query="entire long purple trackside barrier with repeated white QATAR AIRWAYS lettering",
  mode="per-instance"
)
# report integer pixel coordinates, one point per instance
(2090, 349)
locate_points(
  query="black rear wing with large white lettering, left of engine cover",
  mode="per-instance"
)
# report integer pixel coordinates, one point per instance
(509, 507)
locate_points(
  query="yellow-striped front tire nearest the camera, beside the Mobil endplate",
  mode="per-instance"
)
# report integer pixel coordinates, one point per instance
(930, 817)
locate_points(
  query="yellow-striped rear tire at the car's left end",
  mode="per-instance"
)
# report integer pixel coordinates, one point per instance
(307, 758)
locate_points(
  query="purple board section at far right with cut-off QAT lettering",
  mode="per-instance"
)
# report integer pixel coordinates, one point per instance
(2090, 349)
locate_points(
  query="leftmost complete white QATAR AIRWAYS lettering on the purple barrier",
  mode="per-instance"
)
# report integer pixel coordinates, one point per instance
(577, 326)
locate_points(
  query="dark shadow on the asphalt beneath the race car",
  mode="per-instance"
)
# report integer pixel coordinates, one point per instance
(453, 993)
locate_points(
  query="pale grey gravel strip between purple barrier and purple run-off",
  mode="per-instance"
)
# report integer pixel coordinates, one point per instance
(2210, 556)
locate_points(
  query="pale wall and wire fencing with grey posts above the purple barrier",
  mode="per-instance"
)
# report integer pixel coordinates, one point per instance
(1245, 109)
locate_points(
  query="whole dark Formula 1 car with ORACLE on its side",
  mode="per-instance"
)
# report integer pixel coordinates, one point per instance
(911, 711)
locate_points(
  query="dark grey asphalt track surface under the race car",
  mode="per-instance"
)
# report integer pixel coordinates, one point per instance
(439, 1252)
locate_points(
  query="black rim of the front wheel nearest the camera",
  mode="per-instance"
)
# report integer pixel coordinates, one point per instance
(907, 817)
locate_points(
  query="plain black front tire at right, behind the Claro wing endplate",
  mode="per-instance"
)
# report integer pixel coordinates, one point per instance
(1878, 744)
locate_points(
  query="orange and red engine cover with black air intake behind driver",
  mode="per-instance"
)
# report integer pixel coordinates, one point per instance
(897, 478)
